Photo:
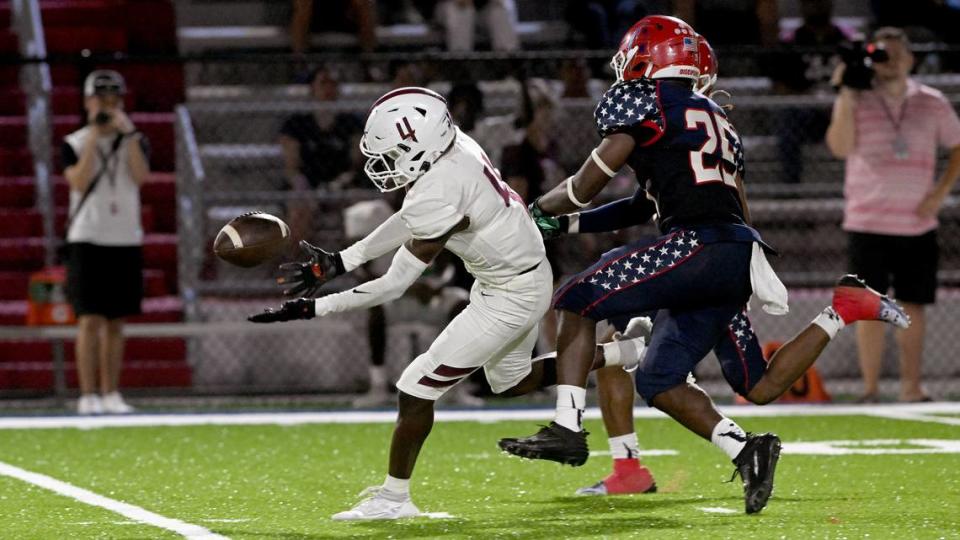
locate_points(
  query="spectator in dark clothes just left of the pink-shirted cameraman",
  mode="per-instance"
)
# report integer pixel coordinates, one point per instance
(796, 73)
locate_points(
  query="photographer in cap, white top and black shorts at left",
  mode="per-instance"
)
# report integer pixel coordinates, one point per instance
(105, 163)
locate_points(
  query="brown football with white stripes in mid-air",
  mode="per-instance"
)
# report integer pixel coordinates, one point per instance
(251, 239)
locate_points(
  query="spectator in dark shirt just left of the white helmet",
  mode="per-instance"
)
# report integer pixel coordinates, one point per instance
(316, 148)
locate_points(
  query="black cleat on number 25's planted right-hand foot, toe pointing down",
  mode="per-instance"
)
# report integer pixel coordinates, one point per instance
(756, 464)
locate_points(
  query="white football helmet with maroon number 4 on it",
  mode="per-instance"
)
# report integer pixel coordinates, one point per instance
(407, 130)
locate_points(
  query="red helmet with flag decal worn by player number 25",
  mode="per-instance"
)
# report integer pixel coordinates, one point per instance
(658, 47)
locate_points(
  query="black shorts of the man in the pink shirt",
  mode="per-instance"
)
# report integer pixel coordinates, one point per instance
(908, 263)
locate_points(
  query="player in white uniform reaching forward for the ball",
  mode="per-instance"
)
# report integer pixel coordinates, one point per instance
(454, 200)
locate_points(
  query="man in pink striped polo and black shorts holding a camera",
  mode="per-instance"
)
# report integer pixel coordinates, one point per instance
(888, 127)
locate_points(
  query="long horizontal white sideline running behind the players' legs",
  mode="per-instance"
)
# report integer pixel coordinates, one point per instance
(908, 412)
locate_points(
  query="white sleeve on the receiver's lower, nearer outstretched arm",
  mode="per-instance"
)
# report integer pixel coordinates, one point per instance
(404, 270)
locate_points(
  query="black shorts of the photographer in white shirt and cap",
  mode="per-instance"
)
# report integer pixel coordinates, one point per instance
(105, 280)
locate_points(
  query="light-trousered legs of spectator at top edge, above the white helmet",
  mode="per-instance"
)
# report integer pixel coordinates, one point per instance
(459, 21)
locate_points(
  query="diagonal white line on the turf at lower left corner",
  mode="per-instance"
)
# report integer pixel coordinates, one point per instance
(129, 511)
